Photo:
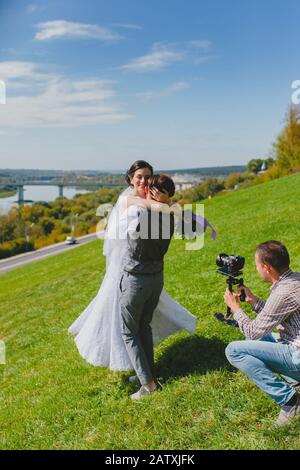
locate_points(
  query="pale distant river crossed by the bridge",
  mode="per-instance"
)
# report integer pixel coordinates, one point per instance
(38, 193)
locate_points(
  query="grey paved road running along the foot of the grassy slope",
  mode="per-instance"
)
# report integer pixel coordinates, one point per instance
(25, 258)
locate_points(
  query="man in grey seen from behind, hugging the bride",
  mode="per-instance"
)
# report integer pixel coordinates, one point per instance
(148, 238)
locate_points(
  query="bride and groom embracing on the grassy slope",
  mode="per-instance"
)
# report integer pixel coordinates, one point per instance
(132, 311)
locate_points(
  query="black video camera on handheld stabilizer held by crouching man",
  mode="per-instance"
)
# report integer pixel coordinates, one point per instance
(230, 266)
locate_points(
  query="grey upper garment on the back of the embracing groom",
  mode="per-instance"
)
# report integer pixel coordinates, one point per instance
(149, 235)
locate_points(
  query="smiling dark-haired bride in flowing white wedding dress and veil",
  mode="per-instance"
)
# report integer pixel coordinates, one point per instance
(97, 330)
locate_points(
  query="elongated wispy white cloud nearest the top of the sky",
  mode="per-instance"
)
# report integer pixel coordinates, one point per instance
(66, 29)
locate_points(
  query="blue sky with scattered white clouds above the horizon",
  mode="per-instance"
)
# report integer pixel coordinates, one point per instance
(97, 84)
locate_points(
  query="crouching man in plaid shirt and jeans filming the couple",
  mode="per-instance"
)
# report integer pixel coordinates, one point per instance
(261, 357)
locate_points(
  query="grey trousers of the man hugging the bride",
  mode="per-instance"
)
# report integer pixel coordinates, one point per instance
(139, 296)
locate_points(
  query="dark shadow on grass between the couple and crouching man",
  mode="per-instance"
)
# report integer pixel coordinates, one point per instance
(192, 355)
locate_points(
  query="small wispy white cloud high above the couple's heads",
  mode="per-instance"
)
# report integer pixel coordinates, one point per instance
(160, 56)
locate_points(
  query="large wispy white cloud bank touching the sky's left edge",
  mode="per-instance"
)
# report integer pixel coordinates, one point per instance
(55, 101)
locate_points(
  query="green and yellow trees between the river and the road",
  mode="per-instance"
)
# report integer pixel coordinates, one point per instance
(29, 227)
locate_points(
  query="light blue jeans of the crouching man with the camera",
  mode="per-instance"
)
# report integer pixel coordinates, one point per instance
(262, 360)
